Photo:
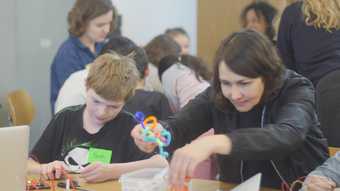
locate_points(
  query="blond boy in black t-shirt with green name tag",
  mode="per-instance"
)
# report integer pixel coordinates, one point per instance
(93, 139)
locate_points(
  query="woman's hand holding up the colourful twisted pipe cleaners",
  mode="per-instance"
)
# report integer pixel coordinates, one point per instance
(136, 133)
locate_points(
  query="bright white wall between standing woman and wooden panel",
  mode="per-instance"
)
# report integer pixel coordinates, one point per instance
(143, 20)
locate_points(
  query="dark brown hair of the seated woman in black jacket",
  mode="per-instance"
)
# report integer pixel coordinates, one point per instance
(251, 54)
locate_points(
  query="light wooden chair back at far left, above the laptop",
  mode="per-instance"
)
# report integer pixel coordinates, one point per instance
(21, 107)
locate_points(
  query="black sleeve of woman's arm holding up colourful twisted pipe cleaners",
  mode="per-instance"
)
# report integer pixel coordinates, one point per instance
(189, 123)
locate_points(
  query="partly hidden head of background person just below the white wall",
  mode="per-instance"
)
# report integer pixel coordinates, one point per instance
(181, 37)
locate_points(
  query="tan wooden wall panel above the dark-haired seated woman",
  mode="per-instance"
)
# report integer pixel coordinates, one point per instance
(216, 20)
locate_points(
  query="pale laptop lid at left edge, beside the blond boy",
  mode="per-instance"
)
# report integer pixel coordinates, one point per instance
(13, 159)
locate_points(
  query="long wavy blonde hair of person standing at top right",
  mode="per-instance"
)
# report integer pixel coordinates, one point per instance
(322, 13)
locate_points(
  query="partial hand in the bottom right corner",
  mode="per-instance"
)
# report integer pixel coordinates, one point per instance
(318, 183)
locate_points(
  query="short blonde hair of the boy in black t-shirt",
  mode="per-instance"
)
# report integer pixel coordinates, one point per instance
(113, 77)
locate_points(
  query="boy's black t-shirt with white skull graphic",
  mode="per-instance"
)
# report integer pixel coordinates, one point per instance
(66, 138)
